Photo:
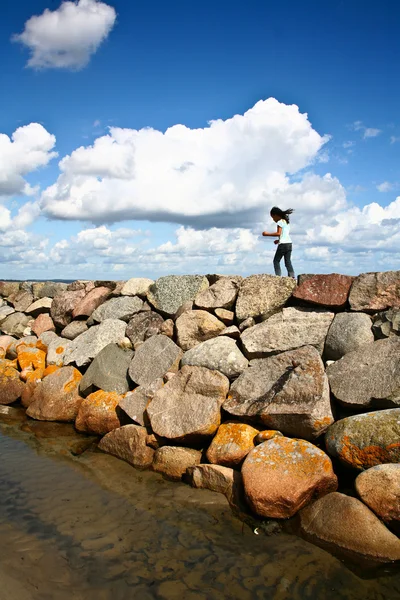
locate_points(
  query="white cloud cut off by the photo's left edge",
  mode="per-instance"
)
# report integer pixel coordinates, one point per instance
(29, 148)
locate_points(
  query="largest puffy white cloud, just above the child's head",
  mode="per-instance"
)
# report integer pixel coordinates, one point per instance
(223, 175)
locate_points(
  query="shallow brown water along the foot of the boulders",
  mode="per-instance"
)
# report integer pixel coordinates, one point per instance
(91, 527)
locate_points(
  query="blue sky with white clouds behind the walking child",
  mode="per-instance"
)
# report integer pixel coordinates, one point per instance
(133, 66)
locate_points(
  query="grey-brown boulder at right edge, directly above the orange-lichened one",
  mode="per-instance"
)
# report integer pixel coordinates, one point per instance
(368, 377)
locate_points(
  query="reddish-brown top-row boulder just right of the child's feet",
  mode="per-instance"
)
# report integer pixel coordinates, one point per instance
(330, 291)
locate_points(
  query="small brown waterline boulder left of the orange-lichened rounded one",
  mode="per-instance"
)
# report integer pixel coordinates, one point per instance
(172, 461)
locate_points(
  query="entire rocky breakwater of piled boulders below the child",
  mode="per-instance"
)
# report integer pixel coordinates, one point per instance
(283, 397)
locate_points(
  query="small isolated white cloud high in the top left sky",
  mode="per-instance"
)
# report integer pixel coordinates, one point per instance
(66, 38)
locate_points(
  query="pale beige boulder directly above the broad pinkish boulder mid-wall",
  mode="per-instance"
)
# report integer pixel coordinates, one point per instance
(220, 354)
